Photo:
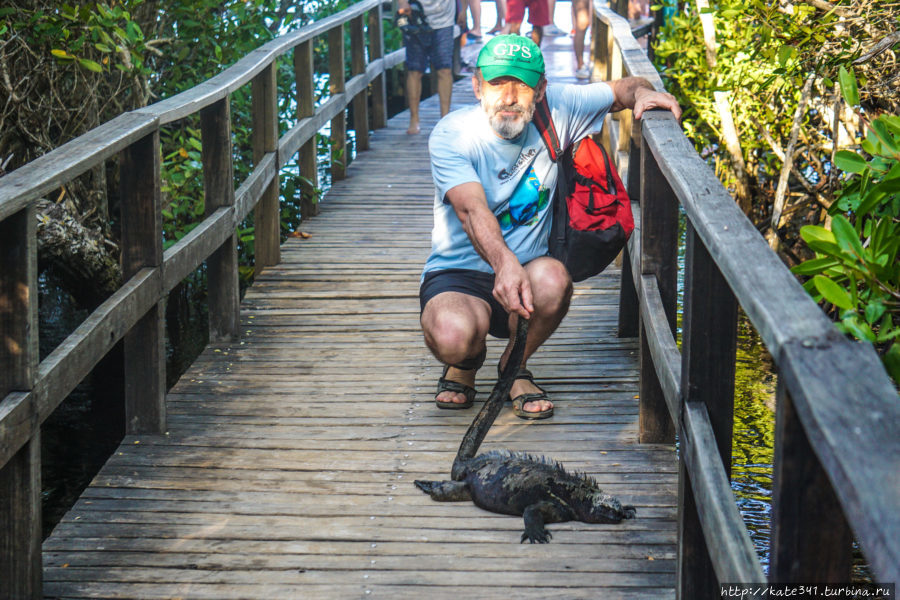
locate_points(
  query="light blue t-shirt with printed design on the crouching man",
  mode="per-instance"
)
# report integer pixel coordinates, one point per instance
(517, 175)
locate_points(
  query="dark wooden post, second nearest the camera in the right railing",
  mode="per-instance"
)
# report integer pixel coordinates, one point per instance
(709, 342)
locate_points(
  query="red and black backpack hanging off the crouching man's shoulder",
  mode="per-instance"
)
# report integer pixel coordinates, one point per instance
(592, 217)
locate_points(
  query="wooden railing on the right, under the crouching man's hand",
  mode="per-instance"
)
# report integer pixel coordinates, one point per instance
(837, 446)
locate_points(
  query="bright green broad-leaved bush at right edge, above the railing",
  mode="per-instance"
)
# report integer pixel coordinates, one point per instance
(856, 269)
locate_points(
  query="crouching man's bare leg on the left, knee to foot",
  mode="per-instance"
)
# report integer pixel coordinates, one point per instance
(455, 327)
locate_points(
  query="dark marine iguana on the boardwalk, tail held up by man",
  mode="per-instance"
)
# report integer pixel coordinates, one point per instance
(515, 483)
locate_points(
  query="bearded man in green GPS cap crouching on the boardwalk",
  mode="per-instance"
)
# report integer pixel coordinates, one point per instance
(494, 185)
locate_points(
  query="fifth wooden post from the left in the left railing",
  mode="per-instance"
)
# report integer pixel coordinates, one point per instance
(304, 74)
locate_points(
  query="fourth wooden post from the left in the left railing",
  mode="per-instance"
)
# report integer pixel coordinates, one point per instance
(266, 217)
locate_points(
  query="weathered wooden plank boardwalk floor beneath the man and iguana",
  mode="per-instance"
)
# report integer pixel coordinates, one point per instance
(287, 468)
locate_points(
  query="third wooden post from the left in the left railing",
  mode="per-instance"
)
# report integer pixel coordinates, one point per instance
(218, 192)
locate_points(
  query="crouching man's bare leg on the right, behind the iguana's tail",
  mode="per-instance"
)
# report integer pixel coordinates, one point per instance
(552, 290)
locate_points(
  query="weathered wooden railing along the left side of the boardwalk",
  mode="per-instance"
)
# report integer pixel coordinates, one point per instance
(30, 390)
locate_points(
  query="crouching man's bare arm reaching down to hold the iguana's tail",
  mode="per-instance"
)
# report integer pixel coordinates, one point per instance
(511, 284)
